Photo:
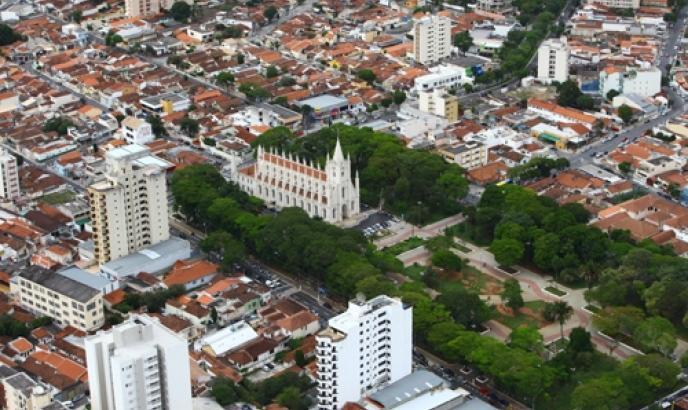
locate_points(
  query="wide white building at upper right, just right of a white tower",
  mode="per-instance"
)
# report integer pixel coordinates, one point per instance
(644, 82)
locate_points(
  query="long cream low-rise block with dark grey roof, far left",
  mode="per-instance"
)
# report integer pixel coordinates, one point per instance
(67, 301)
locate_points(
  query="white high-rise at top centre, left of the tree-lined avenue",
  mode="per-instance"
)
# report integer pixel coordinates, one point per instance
(432, 39)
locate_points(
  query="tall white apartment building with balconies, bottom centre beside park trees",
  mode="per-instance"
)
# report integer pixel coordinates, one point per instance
(364, 349)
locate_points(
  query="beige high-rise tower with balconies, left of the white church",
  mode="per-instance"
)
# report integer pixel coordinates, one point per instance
(129, 207)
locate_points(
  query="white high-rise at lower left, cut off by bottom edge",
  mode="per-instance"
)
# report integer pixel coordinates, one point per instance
(138, 365)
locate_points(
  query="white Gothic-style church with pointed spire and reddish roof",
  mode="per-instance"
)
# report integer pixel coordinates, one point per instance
(284, 181)
